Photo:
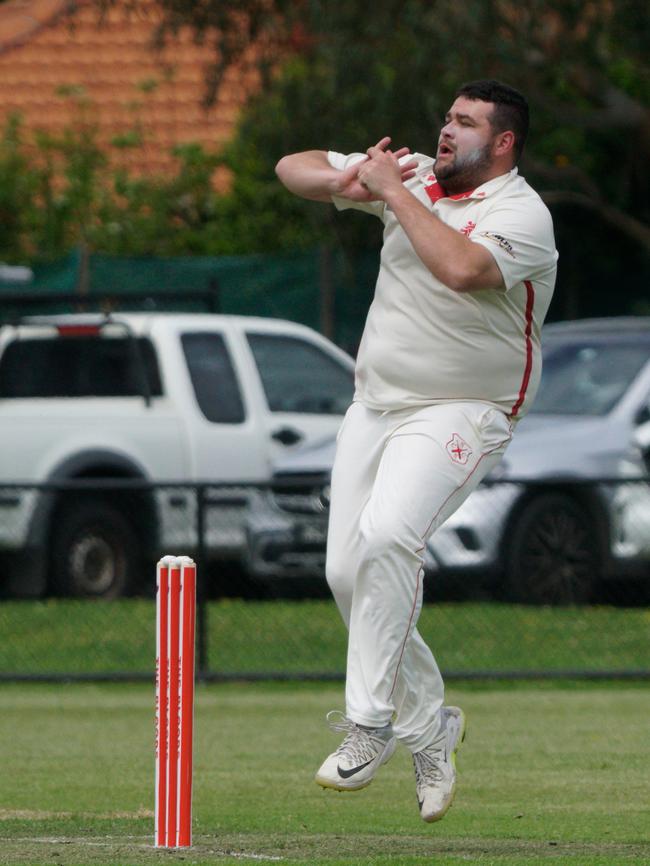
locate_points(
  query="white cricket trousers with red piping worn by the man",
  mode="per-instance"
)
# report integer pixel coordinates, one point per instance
(397, 477)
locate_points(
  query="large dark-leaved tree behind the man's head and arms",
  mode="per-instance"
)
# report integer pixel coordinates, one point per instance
(341, 75)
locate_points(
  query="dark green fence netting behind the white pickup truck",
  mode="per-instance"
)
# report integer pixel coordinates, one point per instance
(318, 288)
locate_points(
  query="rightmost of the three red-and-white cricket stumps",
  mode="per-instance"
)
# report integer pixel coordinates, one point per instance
(186, 721)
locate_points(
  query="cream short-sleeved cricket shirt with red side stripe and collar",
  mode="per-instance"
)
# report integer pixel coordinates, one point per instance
(424, 342)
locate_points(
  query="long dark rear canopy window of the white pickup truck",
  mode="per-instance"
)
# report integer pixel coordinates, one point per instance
(78, 366)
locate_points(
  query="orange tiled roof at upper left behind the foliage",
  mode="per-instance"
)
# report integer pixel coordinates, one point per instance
(50, 47)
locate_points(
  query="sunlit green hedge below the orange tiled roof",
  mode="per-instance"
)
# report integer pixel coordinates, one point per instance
(65, 190)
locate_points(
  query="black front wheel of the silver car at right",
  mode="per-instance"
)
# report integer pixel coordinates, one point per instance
(551, 555)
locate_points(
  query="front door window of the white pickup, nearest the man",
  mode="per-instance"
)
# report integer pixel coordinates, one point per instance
(300, 377)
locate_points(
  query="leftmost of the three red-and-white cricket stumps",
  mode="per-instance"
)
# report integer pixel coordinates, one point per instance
(160, 822)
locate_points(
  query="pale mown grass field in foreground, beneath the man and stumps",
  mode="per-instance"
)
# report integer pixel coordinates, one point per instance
(549, 774)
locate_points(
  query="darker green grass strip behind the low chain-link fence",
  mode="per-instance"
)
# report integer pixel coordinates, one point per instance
(78, 637)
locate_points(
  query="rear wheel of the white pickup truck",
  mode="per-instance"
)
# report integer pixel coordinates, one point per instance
(94, 551)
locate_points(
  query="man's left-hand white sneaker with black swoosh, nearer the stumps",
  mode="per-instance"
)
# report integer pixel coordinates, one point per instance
(353, 765)
